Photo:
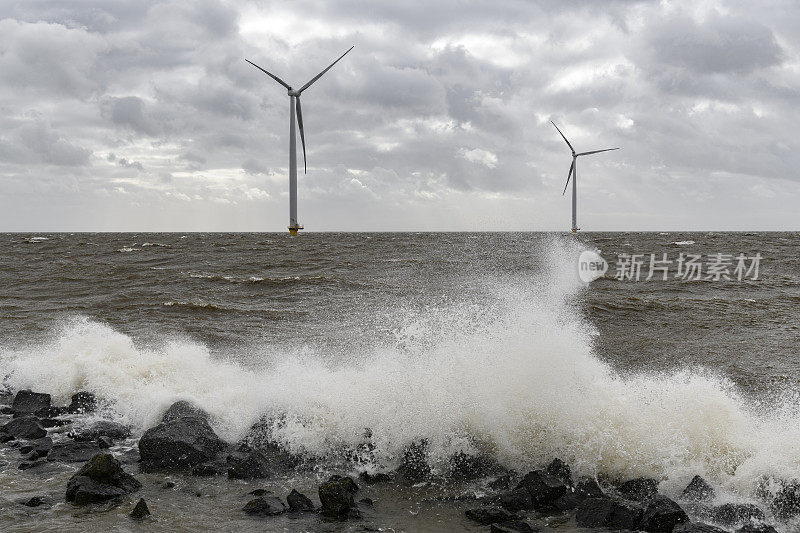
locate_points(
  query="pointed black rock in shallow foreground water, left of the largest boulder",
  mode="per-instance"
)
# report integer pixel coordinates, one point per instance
(101, 478)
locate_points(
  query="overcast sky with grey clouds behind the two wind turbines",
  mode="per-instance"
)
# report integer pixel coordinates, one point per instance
(144, 115)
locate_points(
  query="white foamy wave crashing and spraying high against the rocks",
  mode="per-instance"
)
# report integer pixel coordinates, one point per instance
(516, 377)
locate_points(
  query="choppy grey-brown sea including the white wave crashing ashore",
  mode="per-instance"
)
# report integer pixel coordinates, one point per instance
(472, 341)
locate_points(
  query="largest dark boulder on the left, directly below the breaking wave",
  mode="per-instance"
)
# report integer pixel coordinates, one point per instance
(179, 443)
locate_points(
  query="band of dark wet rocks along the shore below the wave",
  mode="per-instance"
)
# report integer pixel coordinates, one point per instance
(184, 444)
